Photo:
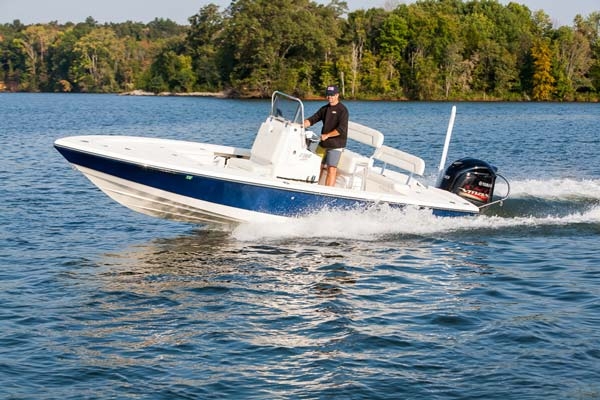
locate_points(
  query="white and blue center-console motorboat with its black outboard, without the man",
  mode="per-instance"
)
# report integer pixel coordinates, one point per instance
(277, 178)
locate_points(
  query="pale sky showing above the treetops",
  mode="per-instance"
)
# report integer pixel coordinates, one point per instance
(42, 11)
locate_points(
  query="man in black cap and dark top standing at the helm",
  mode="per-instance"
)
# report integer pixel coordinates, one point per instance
(334, 133)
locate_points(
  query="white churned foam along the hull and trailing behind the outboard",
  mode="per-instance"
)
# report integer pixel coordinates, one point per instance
(373, 224)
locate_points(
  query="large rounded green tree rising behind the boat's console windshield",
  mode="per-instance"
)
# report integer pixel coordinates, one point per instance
(263, 38)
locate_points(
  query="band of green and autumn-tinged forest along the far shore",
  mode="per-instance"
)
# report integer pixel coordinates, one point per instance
(426, 50)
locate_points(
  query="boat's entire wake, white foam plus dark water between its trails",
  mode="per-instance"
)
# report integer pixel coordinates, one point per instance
(533, 205)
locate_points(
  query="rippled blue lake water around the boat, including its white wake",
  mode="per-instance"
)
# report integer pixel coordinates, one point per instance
(100, 302)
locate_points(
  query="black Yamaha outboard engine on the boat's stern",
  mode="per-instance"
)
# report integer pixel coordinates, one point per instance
(472, 179)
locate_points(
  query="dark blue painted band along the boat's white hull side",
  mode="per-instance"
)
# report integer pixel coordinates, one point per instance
(237, 194)
